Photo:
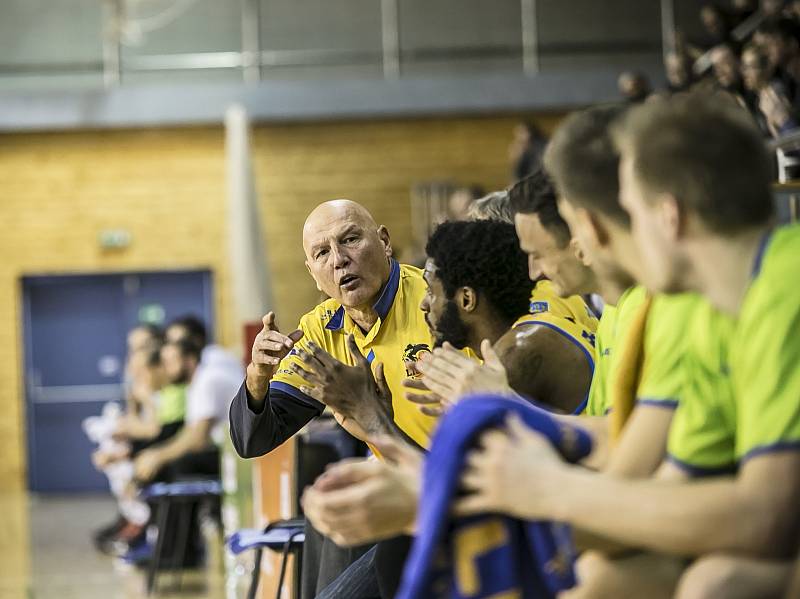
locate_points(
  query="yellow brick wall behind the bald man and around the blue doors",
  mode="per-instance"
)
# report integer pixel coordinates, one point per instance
(167, 187)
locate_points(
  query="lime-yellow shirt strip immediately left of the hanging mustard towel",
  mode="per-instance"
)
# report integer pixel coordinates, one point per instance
(613, 324)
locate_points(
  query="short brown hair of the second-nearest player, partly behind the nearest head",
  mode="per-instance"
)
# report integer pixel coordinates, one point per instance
(584, 163)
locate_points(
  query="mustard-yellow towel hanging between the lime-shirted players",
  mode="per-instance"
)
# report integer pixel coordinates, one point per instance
(627, 371)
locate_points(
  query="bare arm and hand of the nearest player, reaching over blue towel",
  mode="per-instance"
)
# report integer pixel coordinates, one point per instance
(754, 512)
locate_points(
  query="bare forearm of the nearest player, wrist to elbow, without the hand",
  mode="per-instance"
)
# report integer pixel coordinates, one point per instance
(677, 518)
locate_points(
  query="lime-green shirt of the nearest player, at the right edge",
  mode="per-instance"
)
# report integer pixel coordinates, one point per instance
(765, 356)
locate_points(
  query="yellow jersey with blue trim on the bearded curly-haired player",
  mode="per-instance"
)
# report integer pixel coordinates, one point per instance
(570, 317)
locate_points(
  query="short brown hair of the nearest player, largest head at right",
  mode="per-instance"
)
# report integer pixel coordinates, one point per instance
(706, 152)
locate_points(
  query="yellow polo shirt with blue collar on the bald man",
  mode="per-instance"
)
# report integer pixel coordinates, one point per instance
(400, 334)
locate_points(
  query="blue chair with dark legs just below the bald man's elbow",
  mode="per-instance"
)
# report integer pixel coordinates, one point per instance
(281, 535)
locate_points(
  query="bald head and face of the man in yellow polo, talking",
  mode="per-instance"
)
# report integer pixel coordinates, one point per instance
(347, 254)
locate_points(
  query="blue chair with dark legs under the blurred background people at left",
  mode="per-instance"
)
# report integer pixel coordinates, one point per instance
(165, 496)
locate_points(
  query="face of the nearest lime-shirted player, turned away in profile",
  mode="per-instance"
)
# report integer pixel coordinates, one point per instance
(655, 228)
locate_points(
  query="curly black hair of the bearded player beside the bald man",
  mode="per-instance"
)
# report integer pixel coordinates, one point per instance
(484, 255)
